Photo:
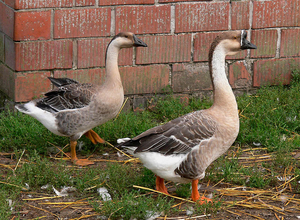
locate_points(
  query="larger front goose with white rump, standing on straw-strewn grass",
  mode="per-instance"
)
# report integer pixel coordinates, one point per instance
(182, 149)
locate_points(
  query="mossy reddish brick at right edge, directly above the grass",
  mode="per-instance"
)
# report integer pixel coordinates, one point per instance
(275, 71)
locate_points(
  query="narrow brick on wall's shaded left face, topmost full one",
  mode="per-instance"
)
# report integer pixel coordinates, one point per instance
(6, 20)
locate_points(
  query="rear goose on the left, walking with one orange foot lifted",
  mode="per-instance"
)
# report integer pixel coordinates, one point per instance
(73, 109)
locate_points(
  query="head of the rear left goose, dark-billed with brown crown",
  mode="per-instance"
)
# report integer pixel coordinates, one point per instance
(127, 40)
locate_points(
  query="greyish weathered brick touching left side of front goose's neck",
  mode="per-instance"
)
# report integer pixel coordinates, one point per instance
(191, 77)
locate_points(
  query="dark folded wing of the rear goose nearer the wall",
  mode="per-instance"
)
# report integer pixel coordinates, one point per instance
(68, 95)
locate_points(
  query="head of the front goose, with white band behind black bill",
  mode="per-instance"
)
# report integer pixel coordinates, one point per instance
(233, 42)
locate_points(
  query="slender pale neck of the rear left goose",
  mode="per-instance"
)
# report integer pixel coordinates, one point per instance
(112, 76)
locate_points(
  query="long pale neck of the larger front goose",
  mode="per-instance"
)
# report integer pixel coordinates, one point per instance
(223, 95)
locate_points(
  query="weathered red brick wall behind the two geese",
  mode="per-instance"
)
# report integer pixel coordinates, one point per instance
(68, 38)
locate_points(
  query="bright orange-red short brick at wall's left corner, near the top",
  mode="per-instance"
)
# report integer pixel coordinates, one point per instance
(32, 25)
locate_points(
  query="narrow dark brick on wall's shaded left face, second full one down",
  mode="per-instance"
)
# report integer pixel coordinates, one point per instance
(9, 53)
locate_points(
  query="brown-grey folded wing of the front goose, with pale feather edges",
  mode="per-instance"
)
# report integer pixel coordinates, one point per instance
(177, 136)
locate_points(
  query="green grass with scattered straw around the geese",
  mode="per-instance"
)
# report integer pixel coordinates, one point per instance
(269, 127)
